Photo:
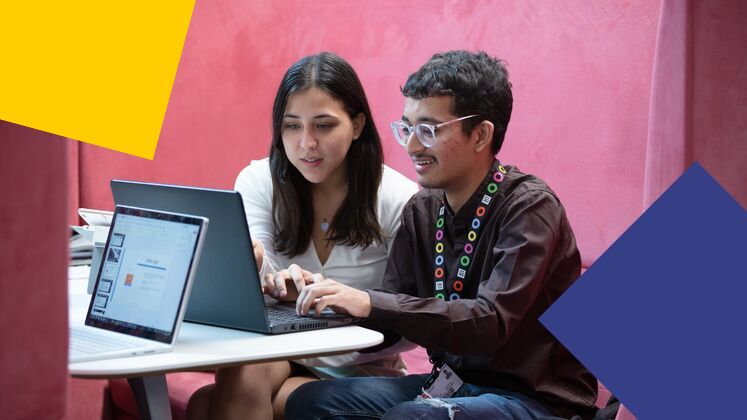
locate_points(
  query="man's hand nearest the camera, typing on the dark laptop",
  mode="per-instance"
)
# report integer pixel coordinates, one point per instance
(338, 297)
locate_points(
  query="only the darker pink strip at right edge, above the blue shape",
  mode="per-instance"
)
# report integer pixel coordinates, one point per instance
(719, 92)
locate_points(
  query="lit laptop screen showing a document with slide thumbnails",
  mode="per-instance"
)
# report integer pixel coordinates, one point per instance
(143, 275)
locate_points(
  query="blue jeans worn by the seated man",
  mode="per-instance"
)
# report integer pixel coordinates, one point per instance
(395, 398)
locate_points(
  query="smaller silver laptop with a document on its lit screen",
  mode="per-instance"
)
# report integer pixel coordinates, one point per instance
(142, 286)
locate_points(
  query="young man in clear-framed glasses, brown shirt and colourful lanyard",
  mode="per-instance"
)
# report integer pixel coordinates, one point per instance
(483, 251)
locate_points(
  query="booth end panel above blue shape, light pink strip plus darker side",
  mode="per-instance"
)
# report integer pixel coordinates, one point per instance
(699, 96)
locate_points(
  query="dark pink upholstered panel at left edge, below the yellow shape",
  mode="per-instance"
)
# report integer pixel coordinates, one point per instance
(33, 273)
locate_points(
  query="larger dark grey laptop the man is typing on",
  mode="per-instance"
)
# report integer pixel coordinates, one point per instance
(227, 291)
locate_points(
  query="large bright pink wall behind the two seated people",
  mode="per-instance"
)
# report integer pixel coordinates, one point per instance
(581, 75)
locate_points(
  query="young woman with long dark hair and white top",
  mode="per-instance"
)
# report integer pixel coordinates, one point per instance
(325, 203)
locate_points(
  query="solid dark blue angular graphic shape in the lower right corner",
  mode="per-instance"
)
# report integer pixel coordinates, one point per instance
(661, 317)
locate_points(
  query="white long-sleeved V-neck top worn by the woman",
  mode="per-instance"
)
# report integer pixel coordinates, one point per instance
(352, 265)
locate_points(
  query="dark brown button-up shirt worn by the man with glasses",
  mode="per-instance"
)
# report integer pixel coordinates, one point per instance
(525, 257)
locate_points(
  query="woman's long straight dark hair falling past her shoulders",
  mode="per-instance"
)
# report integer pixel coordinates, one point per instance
(355, 222)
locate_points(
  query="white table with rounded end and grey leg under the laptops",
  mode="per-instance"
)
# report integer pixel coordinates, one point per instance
(200, 347)
